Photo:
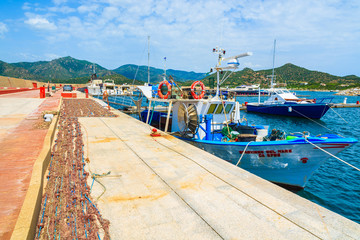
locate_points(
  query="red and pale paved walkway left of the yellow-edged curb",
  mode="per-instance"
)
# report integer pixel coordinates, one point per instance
(21, 140)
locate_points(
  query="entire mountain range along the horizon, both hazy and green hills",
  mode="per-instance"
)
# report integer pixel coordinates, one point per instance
(71, 70)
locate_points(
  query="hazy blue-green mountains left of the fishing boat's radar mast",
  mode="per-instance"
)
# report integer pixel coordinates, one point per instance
(69, 69)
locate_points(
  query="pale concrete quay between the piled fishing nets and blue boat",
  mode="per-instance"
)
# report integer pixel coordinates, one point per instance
(163, 188)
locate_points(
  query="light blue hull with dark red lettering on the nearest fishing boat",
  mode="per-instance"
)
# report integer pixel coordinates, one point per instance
(282, 162)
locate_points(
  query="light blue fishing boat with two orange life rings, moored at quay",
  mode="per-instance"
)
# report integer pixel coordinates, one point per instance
(215, 125)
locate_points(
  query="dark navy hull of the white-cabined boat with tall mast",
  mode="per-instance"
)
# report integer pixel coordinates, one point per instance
(315, 111)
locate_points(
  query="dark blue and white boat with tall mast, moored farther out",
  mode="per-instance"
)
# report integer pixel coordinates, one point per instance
(285, 103)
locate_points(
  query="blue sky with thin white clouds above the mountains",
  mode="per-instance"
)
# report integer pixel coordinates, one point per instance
(321, 35)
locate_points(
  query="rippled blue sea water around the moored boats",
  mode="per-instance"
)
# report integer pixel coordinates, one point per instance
(334, 185)
